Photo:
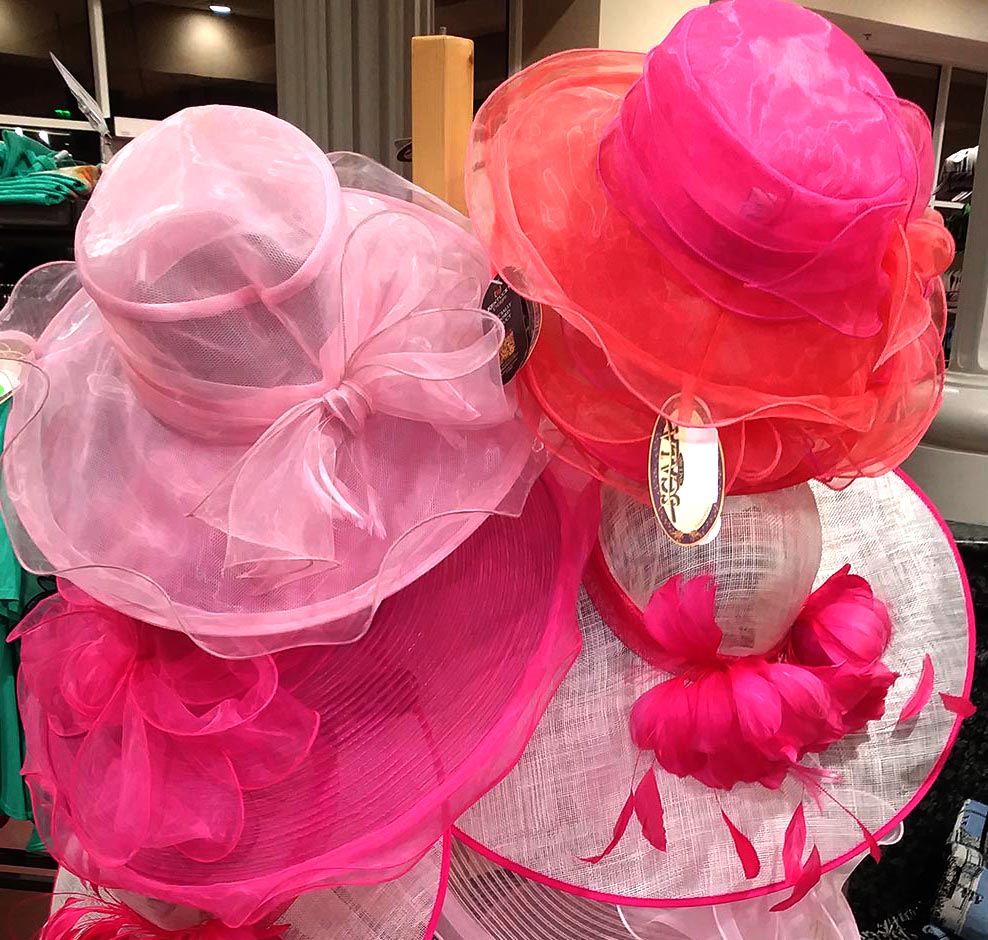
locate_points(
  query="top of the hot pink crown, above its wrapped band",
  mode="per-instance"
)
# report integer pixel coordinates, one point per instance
(798, 93)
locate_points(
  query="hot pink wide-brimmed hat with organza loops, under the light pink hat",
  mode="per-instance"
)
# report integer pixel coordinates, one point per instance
(237, 785)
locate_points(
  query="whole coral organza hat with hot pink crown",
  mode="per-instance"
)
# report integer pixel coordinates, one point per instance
(731, 230)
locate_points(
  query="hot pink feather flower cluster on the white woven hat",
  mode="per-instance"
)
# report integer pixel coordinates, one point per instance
(726, 720)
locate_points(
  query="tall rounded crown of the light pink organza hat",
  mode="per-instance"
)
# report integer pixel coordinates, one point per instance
(212, 249)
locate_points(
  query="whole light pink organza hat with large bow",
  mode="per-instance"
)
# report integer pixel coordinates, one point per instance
(277, 392)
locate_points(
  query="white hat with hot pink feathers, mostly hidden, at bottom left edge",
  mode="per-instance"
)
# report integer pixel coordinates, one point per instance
(404, 909)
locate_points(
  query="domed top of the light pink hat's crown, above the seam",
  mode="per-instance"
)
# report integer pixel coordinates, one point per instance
(211, 201)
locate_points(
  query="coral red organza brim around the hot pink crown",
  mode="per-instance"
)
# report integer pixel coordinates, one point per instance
(827, 406)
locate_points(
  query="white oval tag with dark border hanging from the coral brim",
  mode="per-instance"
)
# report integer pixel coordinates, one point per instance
(686, 479)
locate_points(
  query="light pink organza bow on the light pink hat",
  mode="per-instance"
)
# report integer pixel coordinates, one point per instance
(409, 344)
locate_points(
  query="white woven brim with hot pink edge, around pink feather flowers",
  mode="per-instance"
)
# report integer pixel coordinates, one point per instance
(561, 802)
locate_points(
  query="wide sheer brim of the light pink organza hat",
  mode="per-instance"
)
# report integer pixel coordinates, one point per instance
(136, 543)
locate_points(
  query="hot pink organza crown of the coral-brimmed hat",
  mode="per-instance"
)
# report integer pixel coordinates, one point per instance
(761, 145)
